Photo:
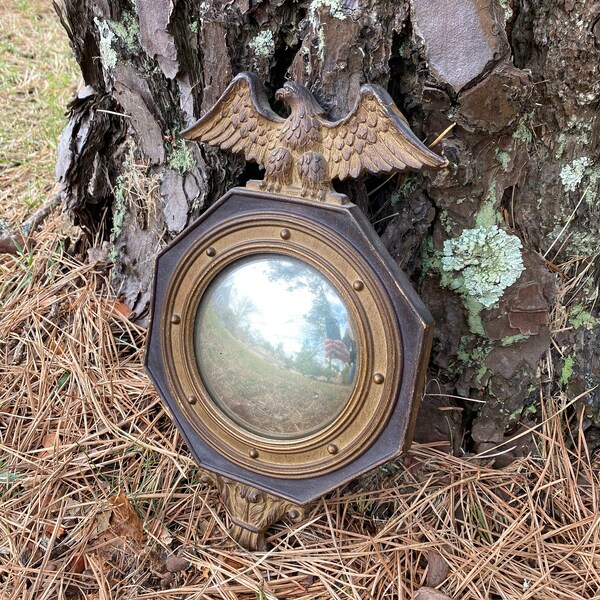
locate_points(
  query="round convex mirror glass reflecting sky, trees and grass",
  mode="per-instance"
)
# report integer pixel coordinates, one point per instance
(275, 346)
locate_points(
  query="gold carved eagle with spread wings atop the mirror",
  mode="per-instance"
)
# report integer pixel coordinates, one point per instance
(302, 153)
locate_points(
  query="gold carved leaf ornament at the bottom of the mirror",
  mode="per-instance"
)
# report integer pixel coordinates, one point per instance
(252, 511)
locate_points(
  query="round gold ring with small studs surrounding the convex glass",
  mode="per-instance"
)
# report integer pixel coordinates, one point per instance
(379, 375)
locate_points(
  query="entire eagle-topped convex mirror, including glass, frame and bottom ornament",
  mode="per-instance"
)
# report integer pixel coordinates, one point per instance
(288, 345)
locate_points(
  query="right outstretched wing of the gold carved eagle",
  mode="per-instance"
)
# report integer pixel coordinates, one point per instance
(374, 137)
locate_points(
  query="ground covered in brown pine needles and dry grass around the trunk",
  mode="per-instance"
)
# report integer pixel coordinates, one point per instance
(100, 499)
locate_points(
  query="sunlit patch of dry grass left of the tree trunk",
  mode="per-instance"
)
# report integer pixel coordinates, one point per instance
(37, 77)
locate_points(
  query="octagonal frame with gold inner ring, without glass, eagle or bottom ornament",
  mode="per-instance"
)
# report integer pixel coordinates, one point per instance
(394, 330)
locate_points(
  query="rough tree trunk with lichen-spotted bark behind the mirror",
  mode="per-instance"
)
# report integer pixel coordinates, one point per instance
(518, 78)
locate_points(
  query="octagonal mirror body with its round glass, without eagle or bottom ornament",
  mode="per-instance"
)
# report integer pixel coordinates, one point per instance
(289, 347)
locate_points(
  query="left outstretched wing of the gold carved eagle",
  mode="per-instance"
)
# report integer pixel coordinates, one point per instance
(241, 121)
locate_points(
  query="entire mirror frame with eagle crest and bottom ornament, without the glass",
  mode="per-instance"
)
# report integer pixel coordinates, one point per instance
(301, 154)
